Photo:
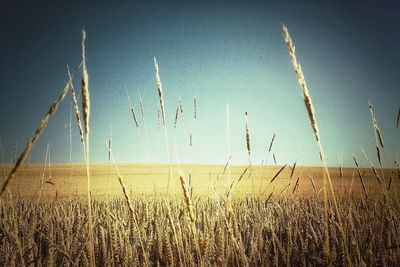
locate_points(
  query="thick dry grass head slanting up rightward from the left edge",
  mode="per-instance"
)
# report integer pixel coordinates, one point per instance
(39, 130)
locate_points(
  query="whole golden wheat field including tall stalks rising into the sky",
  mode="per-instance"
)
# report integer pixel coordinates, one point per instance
(197, 215)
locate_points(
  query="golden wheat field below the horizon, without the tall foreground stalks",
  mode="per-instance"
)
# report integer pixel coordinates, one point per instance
(282, 226)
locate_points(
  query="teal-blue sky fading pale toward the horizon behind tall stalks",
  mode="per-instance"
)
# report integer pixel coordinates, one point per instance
(221, 52)
